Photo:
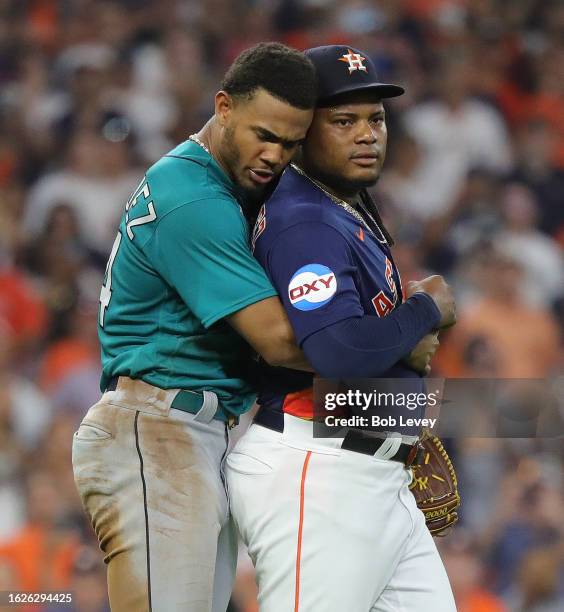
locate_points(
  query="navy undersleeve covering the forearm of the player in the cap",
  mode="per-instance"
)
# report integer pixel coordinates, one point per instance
(368, 346)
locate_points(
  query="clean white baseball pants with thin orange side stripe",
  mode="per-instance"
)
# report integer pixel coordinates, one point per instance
(331, 530)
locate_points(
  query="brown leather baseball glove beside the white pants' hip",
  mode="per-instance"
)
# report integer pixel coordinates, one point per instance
(435, 487)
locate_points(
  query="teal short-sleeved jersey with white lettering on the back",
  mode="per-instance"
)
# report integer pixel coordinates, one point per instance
(180, 264)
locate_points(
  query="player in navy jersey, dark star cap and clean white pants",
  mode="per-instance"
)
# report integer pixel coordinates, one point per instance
(330, 523)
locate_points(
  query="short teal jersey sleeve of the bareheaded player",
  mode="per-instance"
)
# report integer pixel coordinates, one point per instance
(201, 249)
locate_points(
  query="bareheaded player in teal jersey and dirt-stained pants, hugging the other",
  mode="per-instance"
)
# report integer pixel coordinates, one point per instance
(182, 306)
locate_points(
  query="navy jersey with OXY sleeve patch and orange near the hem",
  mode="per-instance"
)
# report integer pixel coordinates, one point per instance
(327, 266)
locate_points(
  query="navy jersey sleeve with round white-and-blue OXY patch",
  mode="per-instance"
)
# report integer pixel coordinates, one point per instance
(311, 266)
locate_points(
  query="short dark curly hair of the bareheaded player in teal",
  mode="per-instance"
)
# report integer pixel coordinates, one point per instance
(285, 73)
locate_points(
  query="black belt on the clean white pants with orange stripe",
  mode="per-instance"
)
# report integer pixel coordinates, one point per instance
(355, 440)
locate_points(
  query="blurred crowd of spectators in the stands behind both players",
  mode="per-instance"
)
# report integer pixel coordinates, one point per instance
(94, 91)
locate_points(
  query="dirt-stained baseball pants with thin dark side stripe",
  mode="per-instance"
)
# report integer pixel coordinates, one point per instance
(150, 480)
